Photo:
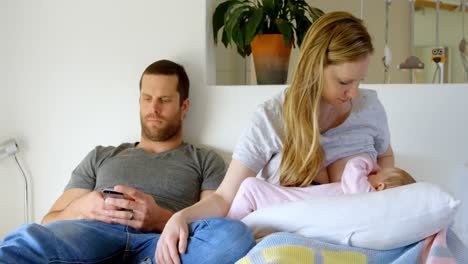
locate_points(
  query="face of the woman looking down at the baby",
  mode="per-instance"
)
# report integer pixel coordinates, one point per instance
(341, 81)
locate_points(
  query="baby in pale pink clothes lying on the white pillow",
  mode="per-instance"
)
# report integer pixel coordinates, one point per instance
(359, 175)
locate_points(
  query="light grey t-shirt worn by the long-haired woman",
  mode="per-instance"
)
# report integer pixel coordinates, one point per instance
(364, 131)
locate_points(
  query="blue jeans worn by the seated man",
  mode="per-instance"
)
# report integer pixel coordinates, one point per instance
(214, 240)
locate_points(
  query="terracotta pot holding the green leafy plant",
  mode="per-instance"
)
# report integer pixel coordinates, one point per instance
(271, 58)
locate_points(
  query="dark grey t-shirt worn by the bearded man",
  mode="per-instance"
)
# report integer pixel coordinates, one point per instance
(175, 178)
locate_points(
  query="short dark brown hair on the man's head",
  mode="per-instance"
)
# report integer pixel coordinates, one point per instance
(167, 67)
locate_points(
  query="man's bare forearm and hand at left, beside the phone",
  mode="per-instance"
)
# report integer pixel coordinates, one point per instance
(78, 203)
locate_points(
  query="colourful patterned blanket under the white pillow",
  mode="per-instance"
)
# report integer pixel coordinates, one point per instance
(442, 248)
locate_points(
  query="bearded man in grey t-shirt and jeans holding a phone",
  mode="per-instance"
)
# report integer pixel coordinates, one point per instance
(158, 176)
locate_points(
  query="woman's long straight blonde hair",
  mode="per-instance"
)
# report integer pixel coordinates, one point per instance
(335, 38)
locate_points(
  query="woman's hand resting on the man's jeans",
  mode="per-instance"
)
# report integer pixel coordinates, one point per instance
(173, 240)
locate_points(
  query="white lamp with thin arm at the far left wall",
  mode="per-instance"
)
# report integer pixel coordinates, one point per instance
(9, 148)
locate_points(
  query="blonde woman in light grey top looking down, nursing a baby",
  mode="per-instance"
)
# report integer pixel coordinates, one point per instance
(320, 118)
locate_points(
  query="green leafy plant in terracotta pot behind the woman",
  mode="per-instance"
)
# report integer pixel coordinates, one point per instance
(267, 29)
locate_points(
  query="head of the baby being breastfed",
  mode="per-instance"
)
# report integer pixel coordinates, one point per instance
(389, 178)
